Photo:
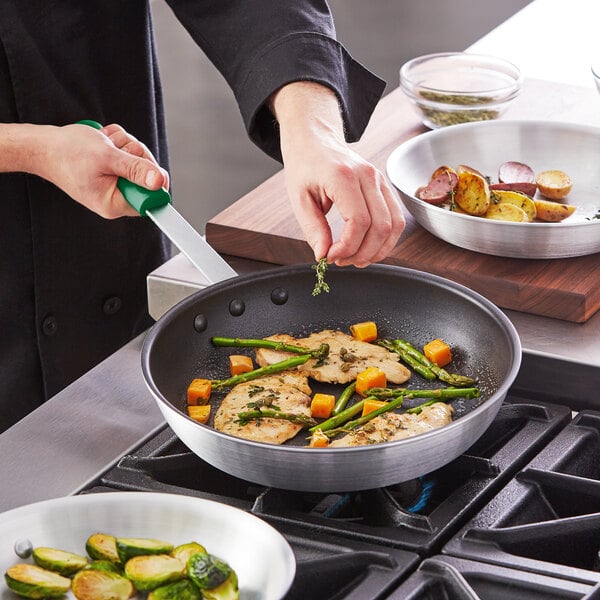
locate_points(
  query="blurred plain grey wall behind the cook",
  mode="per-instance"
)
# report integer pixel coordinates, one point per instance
(212, 161)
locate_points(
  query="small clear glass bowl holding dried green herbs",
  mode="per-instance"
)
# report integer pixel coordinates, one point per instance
(457, 87)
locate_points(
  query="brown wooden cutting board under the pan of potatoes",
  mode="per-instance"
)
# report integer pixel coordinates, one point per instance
(261, 225)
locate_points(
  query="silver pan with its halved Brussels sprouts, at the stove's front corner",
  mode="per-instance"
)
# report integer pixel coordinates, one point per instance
(162, 546)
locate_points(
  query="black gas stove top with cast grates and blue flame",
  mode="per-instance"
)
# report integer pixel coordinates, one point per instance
(520, 508)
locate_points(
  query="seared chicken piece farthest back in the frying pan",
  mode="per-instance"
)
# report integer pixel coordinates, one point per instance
(347, 357)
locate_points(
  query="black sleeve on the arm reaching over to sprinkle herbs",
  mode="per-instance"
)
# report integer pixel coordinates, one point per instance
(260, 45)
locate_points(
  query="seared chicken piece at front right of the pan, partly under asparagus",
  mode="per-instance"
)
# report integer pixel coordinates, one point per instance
(394, 426)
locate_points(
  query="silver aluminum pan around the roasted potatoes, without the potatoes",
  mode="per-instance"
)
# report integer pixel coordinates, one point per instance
(484, 146)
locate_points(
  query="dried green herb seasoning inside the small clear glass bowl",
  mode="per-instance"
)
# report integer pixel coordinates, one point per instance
(441, 117)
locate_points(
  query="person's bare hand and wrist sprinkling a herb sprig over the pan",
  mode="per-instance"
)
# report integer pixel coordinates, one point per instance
(321, 170)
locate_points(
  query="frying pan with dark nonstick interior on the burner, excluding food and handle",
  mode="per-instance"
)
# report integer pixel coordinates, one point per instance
(404, 303)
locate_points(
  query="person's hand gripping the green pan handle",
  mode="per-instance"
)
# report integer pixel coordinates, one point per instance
(86, 164)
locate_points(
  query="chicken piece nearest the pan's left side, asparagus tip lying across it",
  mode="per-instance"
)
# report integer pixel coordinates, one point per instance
(287, 392)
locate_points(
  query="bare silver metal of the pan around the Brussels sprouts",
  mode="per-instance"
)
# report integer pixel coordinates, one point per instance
(261, 557)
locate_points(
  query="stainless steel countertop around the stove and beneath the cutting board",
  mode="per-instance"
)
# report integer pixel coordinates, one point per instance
(61, 447)
